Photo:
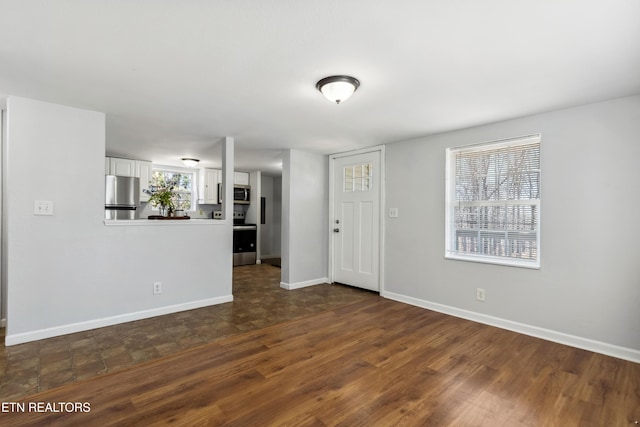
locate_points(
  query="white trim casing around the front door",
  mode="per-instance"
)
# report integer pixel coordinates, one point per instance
(381, 149)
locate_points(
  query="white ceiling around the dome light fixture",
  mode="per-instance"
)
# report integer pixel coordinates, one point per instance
(174, 77)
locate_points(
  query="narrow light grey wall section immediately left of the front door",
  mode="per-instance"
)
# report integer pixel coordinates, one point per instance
(305, 198)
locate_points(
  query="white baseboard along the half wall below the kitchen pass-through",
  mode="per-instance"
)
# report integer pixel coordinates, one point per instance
(14, 339)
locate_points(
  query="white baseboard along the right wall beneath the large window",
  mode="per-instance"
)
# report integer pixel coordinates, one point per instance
(534, 331)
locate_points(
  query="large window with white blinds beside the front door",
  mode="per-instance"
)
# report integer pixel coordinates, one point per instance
(493, 202)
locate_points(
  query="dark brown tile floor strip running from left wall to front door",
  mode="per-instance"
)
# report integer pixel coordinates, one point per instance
(259, 301)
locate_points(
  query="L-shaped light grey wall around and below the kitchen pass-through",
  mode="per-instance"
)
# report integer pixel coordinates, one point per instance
(69, 271)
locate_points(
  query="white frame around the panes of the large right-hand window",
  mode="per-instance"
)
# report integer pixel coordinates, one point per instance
(450, 204)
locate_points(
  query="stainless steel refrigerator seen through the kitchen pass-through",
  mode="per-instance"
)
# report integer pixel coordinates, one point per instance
(122, 197)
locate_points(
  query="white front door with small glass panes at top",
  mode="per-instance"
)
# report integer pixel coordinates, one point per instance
(355, 224)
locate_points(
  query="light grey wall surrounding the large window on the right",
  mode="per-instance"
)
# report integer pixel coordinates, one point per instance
(586, 288)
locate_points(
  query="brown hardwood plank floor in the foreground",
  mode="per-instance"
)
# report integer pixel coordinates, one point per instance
(375, 362)
